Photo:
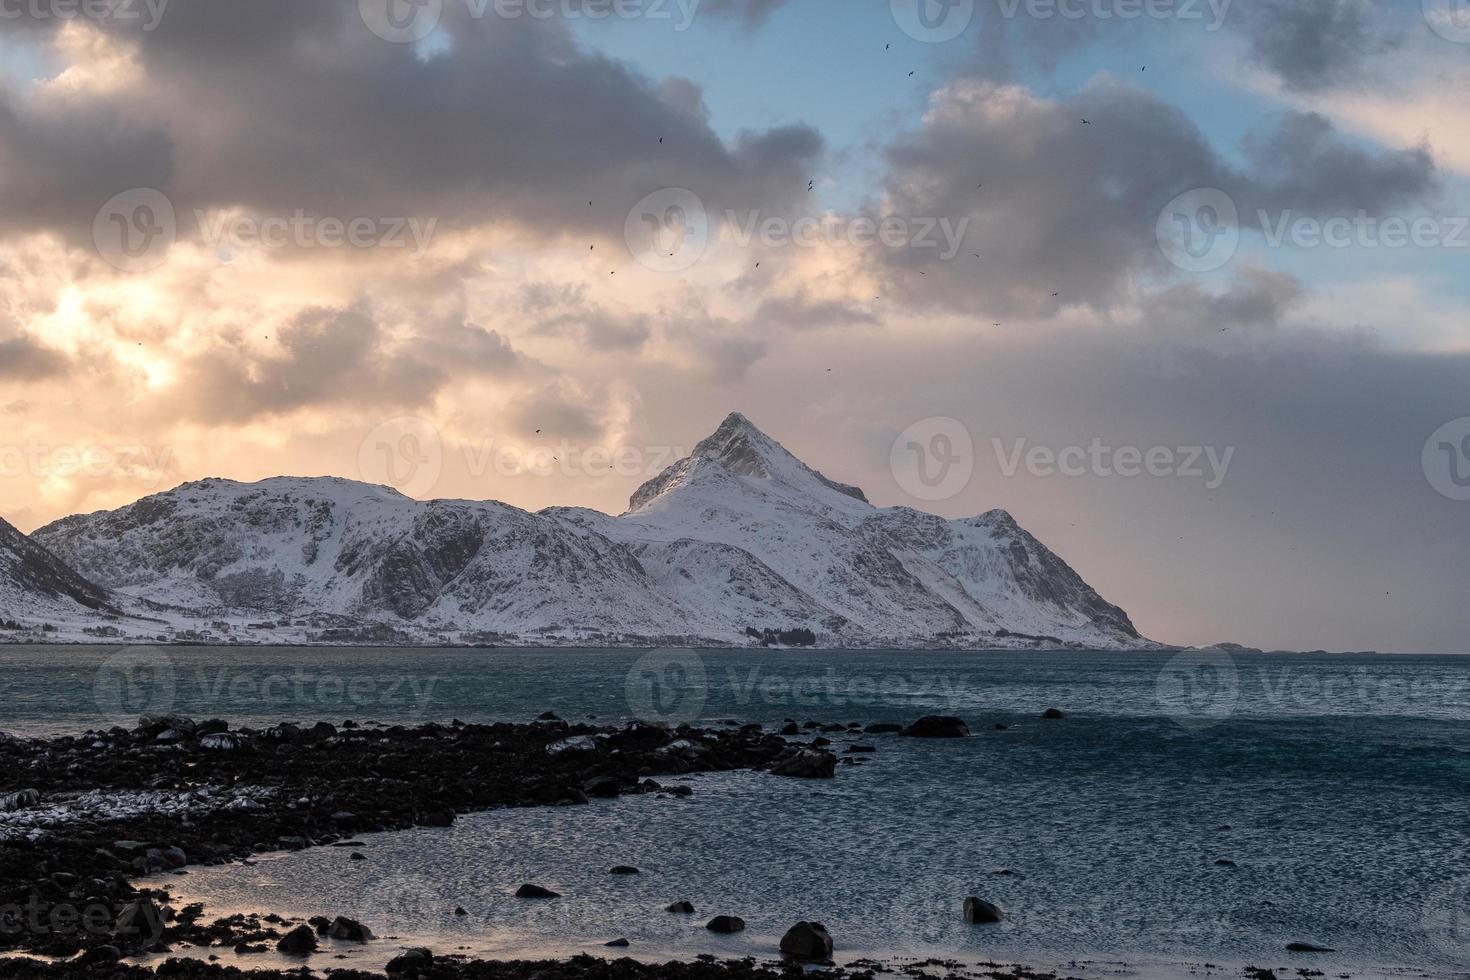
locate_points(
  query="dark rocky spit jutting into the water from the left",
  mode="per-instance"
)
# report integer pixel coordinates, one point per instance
(83, 818)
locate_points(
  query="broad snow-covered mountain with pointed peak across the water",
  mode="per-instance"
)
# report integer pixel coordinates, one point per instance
(737, 536)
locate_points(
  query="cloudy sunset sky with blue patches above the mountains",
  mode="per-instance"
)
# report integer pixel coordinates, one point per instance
(1181, 284)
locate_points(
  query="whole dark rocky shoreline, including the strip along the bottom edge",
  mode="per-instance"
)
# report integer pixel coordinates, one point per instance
(118, 812)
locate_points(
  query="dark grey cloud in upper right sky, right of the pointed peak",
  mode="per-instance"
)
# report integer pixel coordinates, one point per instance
(1071, 208)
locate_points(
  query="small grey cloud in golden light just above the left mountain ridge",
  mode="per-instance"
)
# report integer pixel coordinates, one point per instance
(337, 356)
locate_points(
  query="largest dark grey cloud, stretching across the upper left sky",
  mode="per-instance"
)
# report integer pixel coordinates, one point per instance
(284, 107)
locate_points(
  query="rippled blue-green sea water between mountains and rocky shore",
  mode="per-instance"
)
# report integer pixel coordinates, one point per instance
(1335, 784)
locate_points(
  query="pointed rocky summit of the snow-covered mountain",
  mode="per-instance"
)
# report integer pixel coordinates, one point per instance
(739, 449)
